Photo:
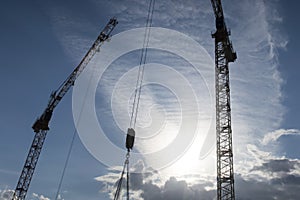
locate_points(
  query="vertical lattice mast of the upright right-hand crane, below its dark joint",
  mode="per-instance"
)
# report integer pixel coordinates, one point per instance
(225, 182)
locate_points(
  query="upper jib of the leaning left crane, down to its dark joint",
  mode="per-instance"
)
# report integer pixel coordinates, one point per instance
(42, 122)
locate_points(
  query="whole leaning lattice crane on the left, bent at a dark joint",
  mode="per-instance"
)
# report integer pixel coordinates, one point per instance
(41, 125)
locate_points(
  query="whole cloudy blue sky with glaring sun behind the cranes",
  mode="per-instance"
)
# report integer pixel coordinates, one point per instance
(174, 154)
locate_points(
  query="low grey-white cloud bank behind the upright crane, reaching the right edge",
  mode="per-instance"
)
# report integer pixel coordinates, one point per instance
(270, 179)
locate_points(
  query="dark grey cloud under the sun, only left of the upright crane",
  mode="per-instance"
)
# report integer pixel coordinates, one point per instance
(146, 184)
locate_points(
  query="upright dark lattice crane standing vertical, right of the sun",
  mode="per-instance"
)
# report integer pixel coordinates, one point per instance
(224, 54)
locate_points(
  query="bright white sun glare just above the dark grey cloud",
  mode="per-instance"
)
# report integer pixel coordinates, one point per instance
(189, 162)
